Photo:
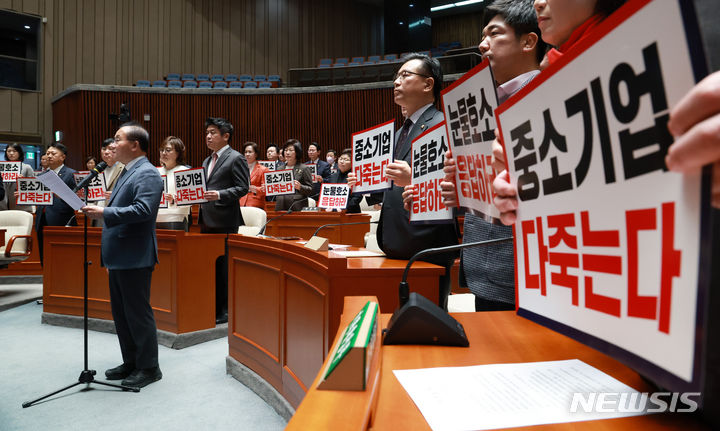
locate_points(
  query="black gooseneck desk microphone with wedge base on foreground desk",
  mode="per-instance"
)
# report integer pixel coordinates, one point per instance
(418, 320)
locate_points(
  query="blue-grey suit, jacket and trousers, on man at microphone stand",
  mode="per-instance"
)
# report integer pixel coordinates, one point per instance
(129, 251)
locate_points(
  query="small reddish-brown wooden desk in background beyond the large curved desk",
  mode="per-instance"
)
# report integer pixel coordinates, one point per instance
(304, 224)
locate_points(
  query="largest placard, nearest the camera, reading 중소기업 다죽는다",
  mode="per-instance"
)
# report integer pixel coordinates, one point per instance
(607, 241)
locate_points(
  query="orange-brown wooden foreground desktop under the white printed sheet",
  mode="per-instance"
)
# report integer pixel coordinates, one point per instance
(495, 337)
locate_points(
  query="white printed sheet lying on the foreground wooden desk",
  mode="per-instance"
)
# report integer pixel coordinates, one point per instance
(510, 395)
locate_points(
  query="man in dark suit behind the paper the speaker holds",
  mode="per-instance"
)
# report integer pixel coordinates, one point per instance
(59, 213)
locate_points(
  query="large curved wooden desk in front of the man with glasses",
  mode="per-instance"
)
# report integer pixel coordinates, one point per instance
(285, 303)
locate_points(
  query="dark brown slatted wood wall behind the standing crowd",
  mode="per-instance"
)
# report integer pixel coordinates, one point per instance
(328, 118)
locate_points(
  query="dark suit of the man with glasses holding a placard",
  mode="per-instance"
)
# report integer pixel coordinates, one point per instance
(396, 236)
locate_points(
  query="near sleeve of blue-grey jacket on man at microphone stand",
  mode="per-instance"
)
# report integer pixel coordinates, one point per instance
(146, 191)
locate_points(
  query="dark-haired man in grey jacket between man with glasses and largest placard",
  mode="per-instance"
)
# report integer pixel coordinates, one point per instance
(511, 42)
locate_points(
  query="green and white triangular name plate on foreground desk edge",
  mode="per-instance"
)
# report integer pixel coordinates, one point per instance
(350, 360)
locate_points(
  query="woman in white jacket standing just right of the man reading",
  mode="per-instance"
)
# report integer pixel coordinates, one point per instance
(172, 159)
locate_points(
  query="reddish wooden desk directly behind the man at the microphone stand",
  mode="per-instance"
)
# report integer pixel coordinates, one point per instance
(183, 284)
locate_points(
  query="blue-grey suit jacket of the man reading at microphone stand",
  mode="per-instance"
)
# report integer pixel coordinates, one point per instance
(128, 238)
